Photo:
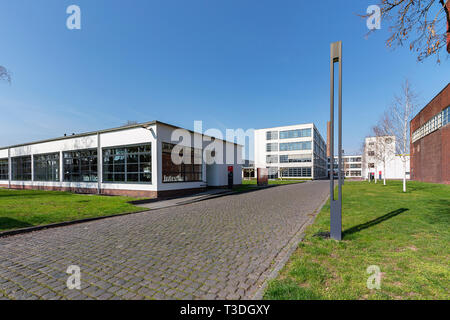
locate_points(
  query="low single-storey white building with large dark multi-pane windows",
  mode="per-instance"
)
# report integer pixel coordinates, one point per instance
(134, 160)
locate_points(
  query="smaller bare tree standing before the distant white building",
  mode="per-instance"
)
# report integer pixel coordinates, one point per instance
(384, 143)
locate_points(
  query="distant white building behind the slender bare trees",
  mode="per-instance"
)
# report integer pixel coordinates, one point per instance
(378, 148)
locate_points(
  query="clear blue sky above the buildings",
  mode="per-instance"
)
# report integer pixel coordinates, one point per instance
(233, 64)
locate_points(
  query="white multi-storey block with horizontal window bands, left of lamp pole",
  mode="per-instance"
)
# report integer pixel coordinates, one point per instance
(296, 151)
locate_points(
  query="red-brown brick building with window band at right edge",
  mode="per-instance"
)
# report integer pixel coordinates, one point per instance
(430, 140)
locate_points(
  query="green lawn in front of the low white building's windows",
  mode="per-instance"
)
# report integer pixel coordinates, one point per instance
(26, 208)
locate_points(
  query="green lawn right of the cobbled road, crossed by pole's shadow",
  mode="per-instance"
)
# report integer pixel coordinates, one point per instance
(406, 234)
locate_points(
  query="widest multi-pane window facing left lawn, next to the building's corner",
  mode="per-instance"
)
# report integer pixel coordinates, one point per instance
(128, 164)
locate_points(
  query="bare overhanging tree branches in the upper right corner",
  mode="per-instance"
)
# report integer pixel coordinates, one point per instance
(424, 24)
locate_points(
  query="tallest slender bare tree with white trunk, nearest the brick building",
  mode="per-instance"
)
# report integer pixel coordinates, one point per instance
(400, 114)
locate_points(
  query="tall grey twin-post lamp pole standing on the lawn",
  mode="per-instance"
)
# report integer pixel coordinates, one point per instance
(336, 205)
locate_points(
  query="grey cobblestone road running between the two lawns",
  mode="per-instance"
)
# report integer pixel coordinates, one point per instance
(221, 248)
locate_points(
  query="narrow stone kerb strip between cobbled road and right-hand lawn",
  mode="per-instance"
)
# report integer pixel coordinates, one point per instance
(289, 250)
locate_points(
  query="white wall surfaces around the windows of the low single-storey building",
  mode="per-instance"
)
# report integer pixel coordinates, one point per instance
(155, 134)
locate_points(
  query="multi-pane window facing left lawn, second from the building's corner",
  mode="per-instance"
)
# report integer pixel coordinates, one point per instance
(80, 165)
